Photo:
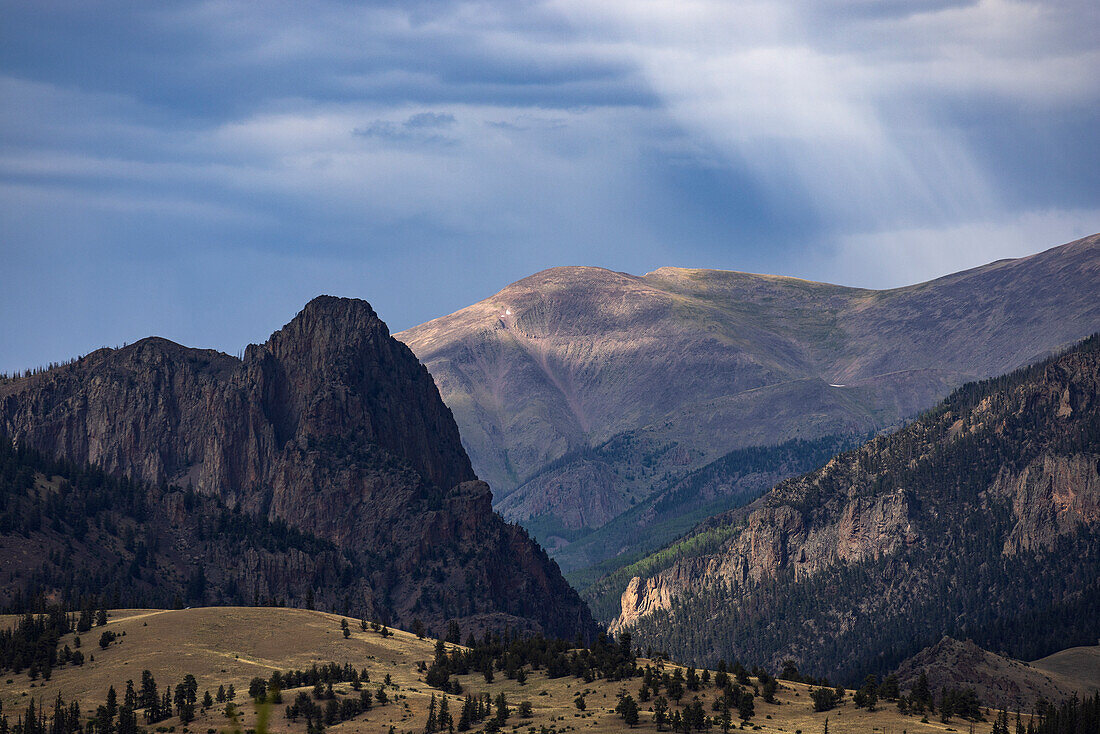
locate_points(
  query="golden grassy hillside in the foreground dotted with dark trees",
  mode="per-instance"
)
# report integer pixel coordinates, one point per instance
(233, 645)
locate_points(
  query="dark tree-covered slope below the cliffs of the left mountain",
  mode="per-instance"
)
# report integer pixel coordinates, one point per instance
(73, 533)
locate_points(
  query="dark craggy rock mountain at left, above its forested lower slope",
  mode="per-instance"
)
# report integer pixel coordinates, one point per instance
(333, 428)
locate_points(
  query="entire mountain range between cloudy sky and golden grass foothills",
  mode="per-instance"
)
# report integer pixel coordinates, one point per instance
(730, 466)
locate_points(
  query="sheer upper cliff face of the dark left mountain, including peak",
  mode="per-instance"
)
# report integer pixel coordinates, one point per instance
(162, 412)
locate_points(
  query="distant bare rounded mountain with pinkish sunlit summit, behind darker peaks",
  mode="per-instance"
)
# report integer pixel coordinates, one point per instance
(580, 392)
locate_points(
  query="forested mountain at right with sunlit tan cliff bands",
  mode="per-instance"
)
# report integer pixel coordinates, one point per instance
(981, 521)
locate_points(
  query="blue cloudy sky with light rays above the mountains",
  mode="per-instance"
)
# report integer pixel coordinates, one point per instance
(199, 171)
